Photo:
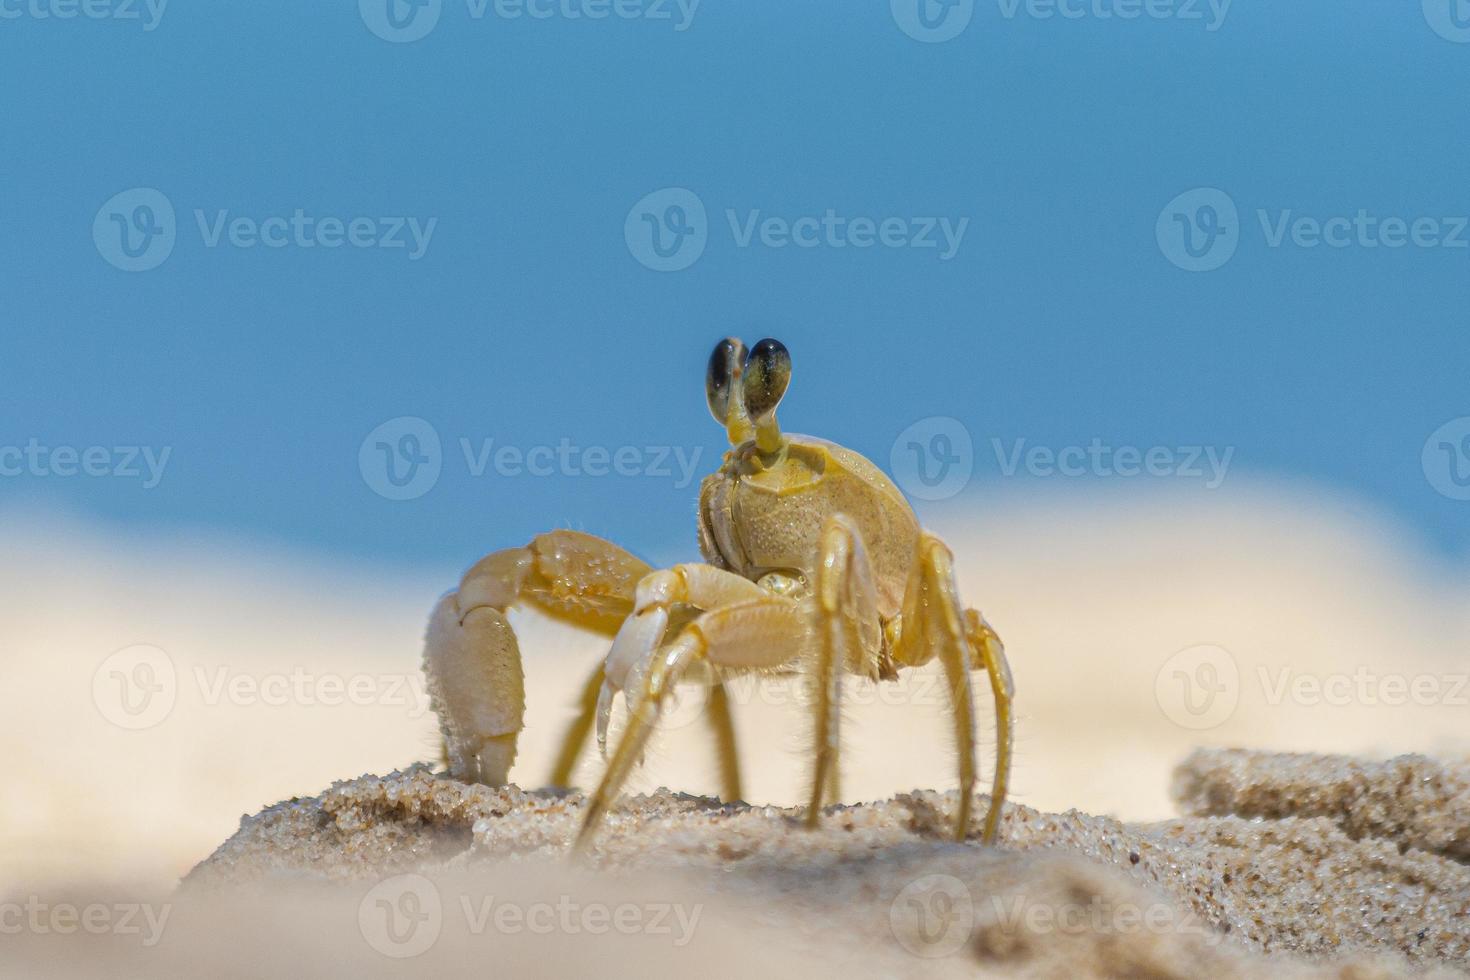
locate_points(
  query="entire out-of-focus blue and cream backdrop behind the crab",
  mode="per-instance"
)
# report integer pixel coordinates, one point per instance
(1158, 312)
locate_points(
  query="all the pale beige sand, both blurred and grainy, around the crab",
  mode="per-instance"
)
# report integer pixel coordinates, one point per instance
(101, 819)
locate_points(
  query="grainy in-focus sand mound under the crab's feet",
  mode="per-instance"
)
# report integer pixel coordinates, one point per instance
(1283, 866)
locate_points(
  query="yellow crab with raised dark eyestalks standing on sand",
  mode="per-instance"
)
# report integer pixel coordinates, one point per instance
(814, 563)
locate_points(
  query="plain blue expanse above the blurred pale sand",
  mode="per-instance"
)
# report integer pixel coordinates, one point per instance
(517, 159)
